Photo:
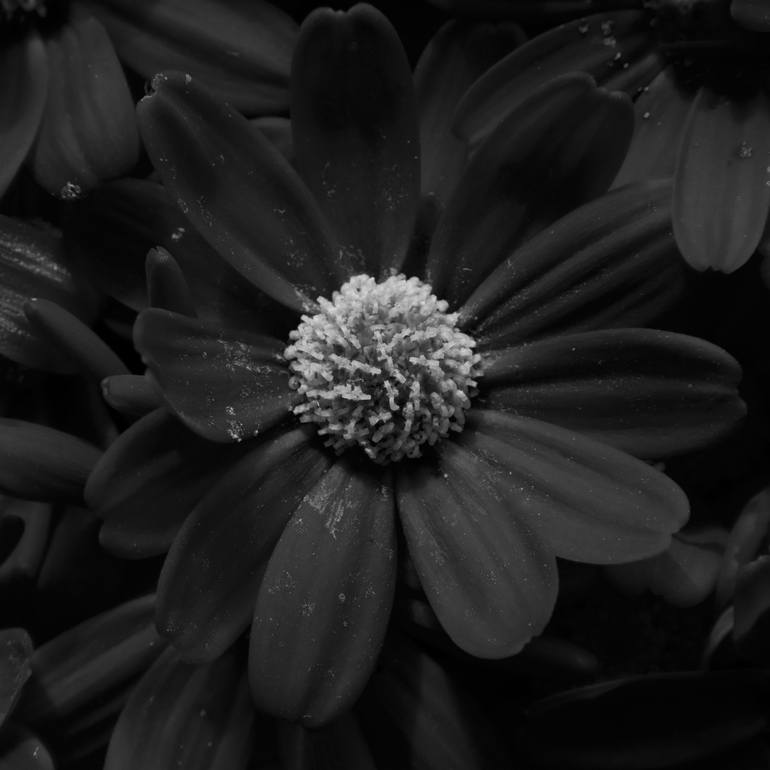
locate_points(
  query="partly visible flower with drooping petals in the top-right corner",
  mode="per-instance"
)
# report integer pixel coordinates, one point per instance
(698, 72)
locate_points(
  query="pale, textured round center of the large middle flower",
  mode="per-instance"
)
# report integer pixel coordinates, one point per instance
(383, 366)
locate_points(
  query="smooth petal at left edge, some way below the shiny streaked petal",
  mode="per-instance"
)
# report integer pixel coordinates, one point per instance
(40, 463)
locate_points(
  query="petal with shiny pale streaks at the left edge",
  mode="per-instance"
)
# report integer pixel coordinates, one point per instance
(32, 265)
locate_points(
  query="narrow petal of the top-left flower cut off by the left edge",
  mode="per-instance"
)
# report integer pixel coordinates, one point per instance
(23, 82)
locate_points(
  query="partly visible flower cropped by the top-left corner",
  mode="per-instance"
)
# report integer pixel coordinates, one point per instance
(65, 102)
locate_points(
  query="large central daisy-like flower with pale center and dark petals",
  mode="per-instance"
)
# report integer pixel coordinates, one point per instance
(422, 389)
